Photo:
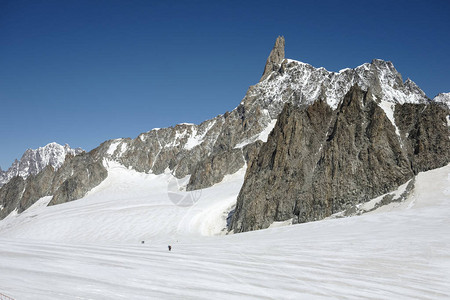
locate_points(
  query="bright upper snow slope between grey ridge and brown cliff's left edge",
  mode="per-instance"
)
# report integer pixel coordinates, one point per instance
(129, 207)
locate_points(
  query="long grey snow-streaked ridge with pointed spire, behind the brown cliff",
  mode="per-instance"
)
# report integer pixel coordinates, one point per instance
(219, 146)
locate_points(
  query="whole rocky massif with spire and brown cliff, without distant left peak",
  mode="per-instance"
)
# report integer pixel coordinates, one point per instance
(336, 138)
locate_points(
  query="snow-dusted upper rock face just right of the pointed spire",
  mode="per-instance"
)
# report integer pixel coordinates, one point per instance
(302, 84)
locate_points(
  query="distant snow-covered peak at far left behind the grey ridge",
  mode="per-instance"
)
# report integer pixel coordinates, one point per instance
(35, 160)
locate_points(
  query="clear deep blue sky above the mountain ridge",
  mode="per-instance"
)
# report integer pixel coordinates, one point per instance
(82, 72)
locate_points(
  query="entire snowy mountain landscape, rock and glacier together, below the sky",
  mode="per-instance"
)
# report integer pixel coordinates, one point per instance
(304, 145)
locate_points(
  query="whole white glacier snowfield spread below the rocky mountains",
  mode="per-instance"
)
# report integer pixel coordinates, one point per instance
(91, 248)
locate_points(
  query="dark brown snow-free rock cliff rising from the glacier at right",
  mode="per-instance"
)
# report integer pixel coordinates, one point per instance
(318, 161)
